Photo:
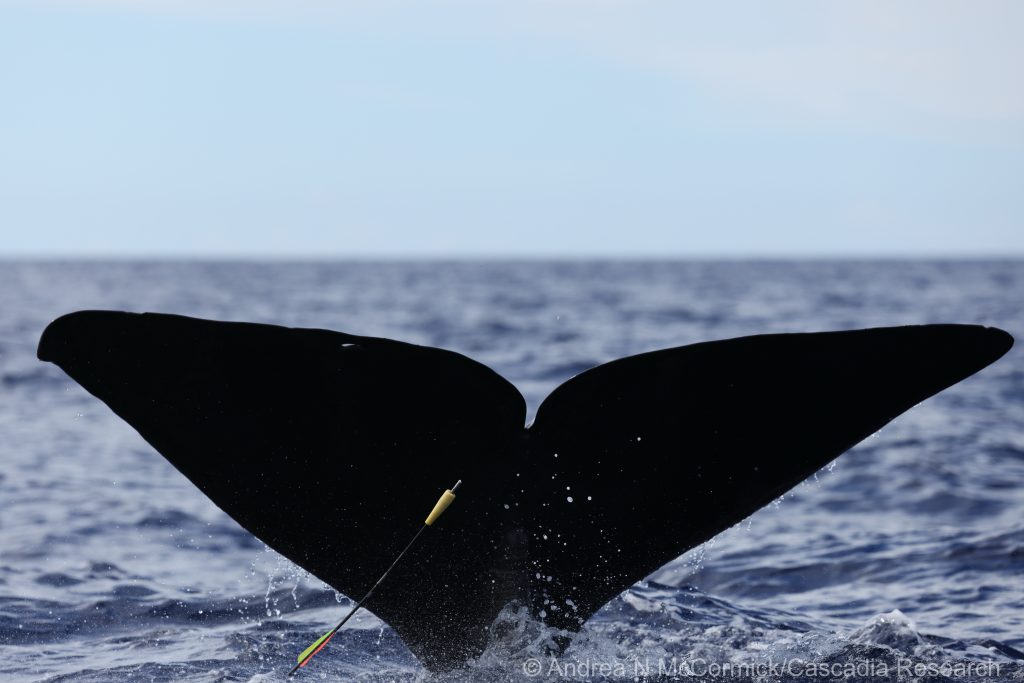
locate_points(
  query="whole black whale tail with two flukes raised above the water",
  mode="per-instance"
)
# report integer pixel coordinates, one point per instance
(627, 465)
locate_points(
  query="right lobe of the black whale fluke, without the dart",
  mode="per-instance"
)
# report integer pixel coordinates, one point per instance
(662, 451)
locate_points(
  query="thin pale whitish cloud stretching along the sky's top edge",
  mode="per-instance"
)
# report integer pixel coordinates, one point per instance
(867, 60)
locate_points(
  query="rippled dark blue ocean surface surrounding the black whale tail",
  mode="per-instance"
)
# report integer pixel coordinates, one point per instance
(903, 561)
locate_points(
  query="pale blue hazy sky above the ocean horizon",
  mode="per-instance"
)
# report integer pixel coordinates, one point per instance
(529, 129)
